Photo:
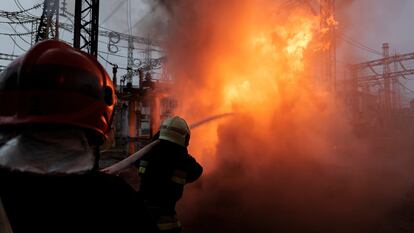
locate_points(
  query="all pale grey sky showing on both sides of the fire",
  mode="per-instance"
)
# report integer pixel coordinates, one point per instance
(370, 22)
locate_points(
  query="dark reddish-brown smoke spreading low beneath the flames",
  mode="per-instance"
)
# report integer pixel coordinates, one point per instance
(296, 190)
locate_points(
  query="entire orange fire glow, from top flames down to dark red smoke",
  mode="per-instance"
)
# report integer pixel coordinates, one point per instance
(274, 165)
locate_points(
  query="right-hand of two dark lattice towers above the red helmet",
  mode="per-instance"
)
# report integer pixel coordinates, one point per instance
(86, 26)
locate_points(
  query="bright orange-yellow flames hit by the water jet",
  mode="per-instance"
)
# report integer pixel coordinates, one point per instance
(253, 64)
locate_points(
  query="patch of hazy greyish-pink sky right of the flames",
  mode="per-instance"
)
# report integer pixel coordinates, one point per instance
(372, 23)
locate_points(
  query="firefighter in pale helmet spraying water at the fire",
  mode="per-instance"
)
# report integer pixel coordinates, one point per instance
(164, 170)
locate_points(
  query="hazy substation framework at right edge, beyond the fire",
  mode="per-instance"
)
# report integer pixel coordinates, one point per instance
(376, 87)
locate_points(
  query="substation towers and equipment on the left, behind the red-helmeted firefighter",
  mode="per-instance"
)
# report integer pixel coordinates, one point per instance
(143, 101)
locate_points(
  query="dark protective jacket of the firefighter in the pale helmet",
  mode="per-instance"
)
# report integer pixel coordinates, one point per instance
(164, 171)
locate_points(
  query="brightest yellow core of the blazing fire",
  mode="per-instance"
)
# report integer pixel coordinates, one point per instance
(271, 58)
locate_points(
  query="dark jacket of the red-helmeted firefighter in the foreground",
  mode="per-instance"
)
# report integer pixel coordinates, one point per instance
(89, 202)
